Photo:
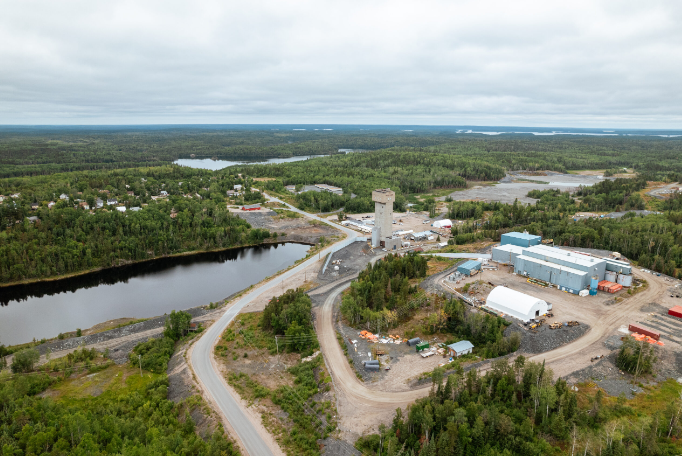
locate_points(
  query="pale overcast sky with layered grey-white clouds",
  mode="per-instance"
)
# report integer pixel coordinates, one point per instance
(589, 63)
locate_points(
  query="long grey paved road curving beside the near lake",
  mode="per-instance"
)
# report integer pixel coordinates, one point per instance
(201, 355)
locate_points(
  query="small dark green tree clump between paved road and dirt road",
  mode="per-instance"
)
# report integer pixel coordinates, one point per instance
(290, 315)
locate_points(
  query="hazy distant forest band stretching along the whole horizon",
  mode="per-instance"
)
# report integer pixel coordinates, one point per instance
(32, 151)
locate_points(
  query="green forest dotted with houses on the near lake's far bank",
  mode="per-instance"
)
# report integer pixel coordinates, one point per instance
(67, 238)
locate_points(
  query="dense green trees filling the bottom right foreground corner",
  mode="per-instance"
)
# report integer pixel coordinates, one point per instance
(518, 409)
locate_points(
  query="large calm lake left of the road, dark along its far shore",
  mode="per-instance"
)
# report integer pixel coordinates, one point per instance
(143, 290)
